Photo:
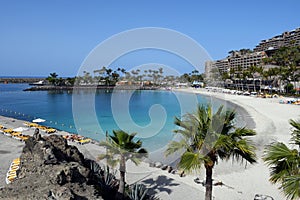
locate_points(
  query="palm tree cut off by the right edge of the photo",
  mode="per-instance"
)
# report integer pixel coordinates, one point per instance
(285, 164)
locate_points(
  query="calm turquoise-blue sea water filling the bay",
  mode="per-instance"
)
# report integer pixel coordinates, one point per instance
(90, 113)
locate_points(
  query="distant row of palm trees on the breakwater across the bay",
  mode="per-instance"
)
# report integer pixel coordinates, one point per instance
(109, 77)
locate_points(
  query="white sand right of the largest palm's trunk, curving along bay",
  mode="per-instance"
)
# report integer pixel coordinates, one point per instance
(271, 124)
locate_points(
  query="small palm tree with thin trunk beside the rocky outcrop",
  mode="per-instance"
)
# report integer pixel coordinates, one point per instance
(120, 148)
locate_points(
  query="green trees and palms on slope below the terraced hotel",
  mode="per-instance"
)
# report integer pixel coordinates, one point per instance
(287, 60)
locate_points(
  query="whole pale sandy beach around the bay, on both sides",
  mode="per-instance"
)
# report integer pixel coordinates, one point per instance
(271, 124)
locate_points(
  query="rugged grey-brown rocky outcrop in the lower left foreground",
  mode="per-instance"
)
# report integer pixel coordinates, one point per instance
(51, 169)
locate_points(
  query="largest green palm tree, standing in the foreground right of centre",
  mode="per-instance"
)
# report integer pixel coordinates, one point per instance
(207, 137)
